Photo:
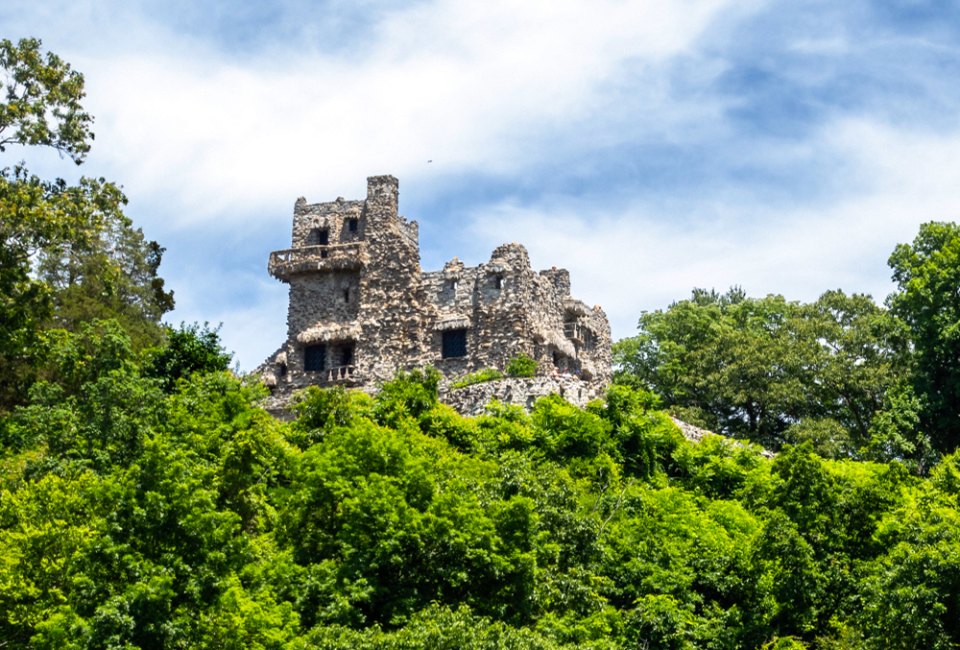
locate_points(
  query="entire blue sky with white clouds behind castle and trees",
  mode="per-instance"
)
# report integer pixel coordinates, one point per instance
(649, 147)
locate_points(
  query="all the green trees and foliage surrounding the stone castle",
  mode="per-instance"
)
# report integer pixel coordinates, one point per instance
(147, 500)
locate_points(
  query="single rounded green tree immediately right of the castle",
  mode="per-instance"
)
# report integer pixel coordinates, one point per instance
(735, 362)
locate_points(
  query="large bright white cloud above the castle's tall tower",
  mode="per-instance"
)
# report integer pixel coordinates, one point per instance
(470, 85)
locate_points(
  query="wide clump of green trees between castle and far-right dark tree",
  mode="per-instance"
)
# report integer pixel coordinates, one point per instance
(758, 367)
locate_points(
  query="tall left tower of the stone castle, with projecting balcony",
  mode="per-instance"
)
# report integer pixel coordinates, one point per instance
(348, 259)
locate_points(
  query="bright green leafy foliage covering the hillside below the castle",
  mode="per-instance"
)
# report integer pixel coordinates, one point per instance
(191, 517)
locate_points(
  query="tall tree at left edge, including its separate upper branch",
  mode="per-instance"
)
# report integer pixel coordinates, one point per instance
(67, 252)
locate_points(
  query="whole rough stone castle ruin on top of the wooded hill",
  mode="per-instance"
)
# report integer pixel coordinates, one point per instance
(361, 308)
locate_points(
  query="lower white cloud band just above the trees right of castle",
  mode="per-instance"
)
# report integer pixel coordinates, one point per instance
(638, 260)
